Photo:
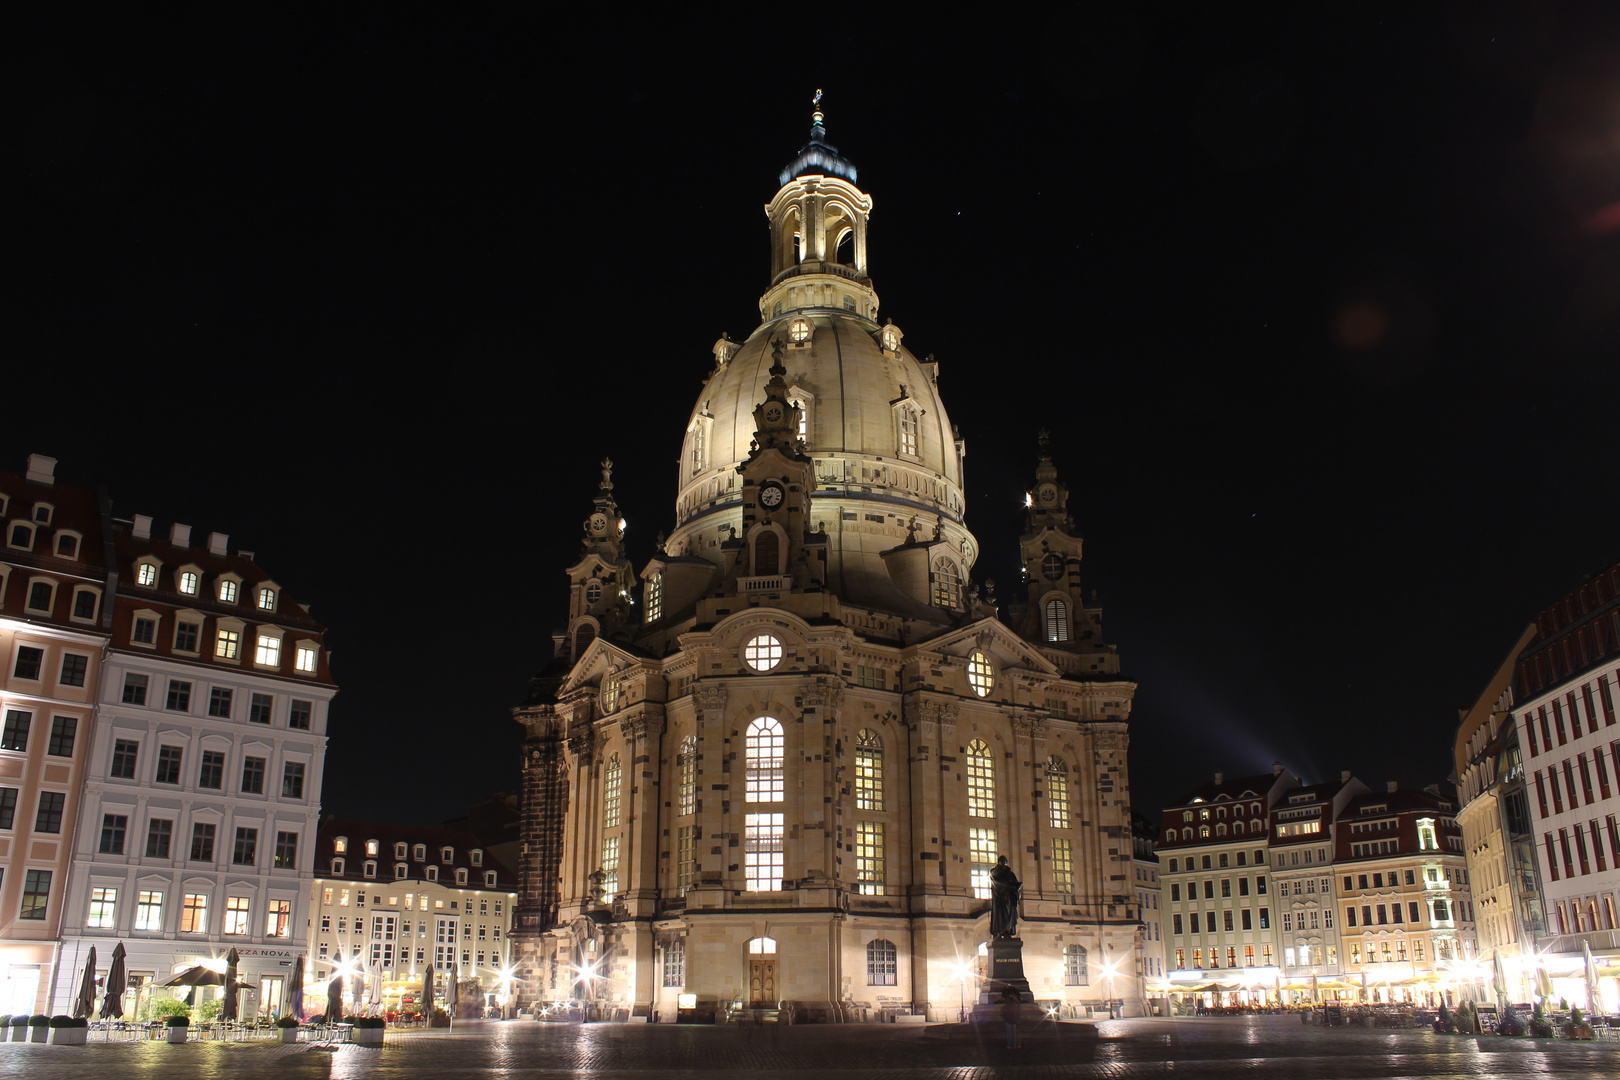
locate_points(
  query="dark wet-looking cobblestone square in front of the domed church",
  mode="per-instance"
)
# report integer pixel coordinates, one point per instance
(1214, 1048)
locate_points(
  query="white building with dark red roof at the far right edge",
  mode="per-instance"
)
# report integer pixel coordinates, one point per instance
(1566, 695)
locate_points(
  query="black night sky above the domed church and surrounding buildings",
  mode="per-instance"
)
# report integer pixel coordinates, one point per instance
(1323, 308)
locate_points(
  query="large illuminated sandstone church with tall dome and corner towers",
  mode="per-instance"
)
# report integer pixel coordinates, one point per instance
(788, 770)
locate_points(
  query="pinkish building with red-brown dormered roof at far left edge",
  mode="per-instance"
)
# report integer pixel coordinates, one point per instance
(56, 614)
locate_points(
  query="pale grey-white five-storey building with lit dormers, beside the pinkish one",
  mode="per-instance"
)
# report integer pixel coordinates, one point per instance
(203, 776)
